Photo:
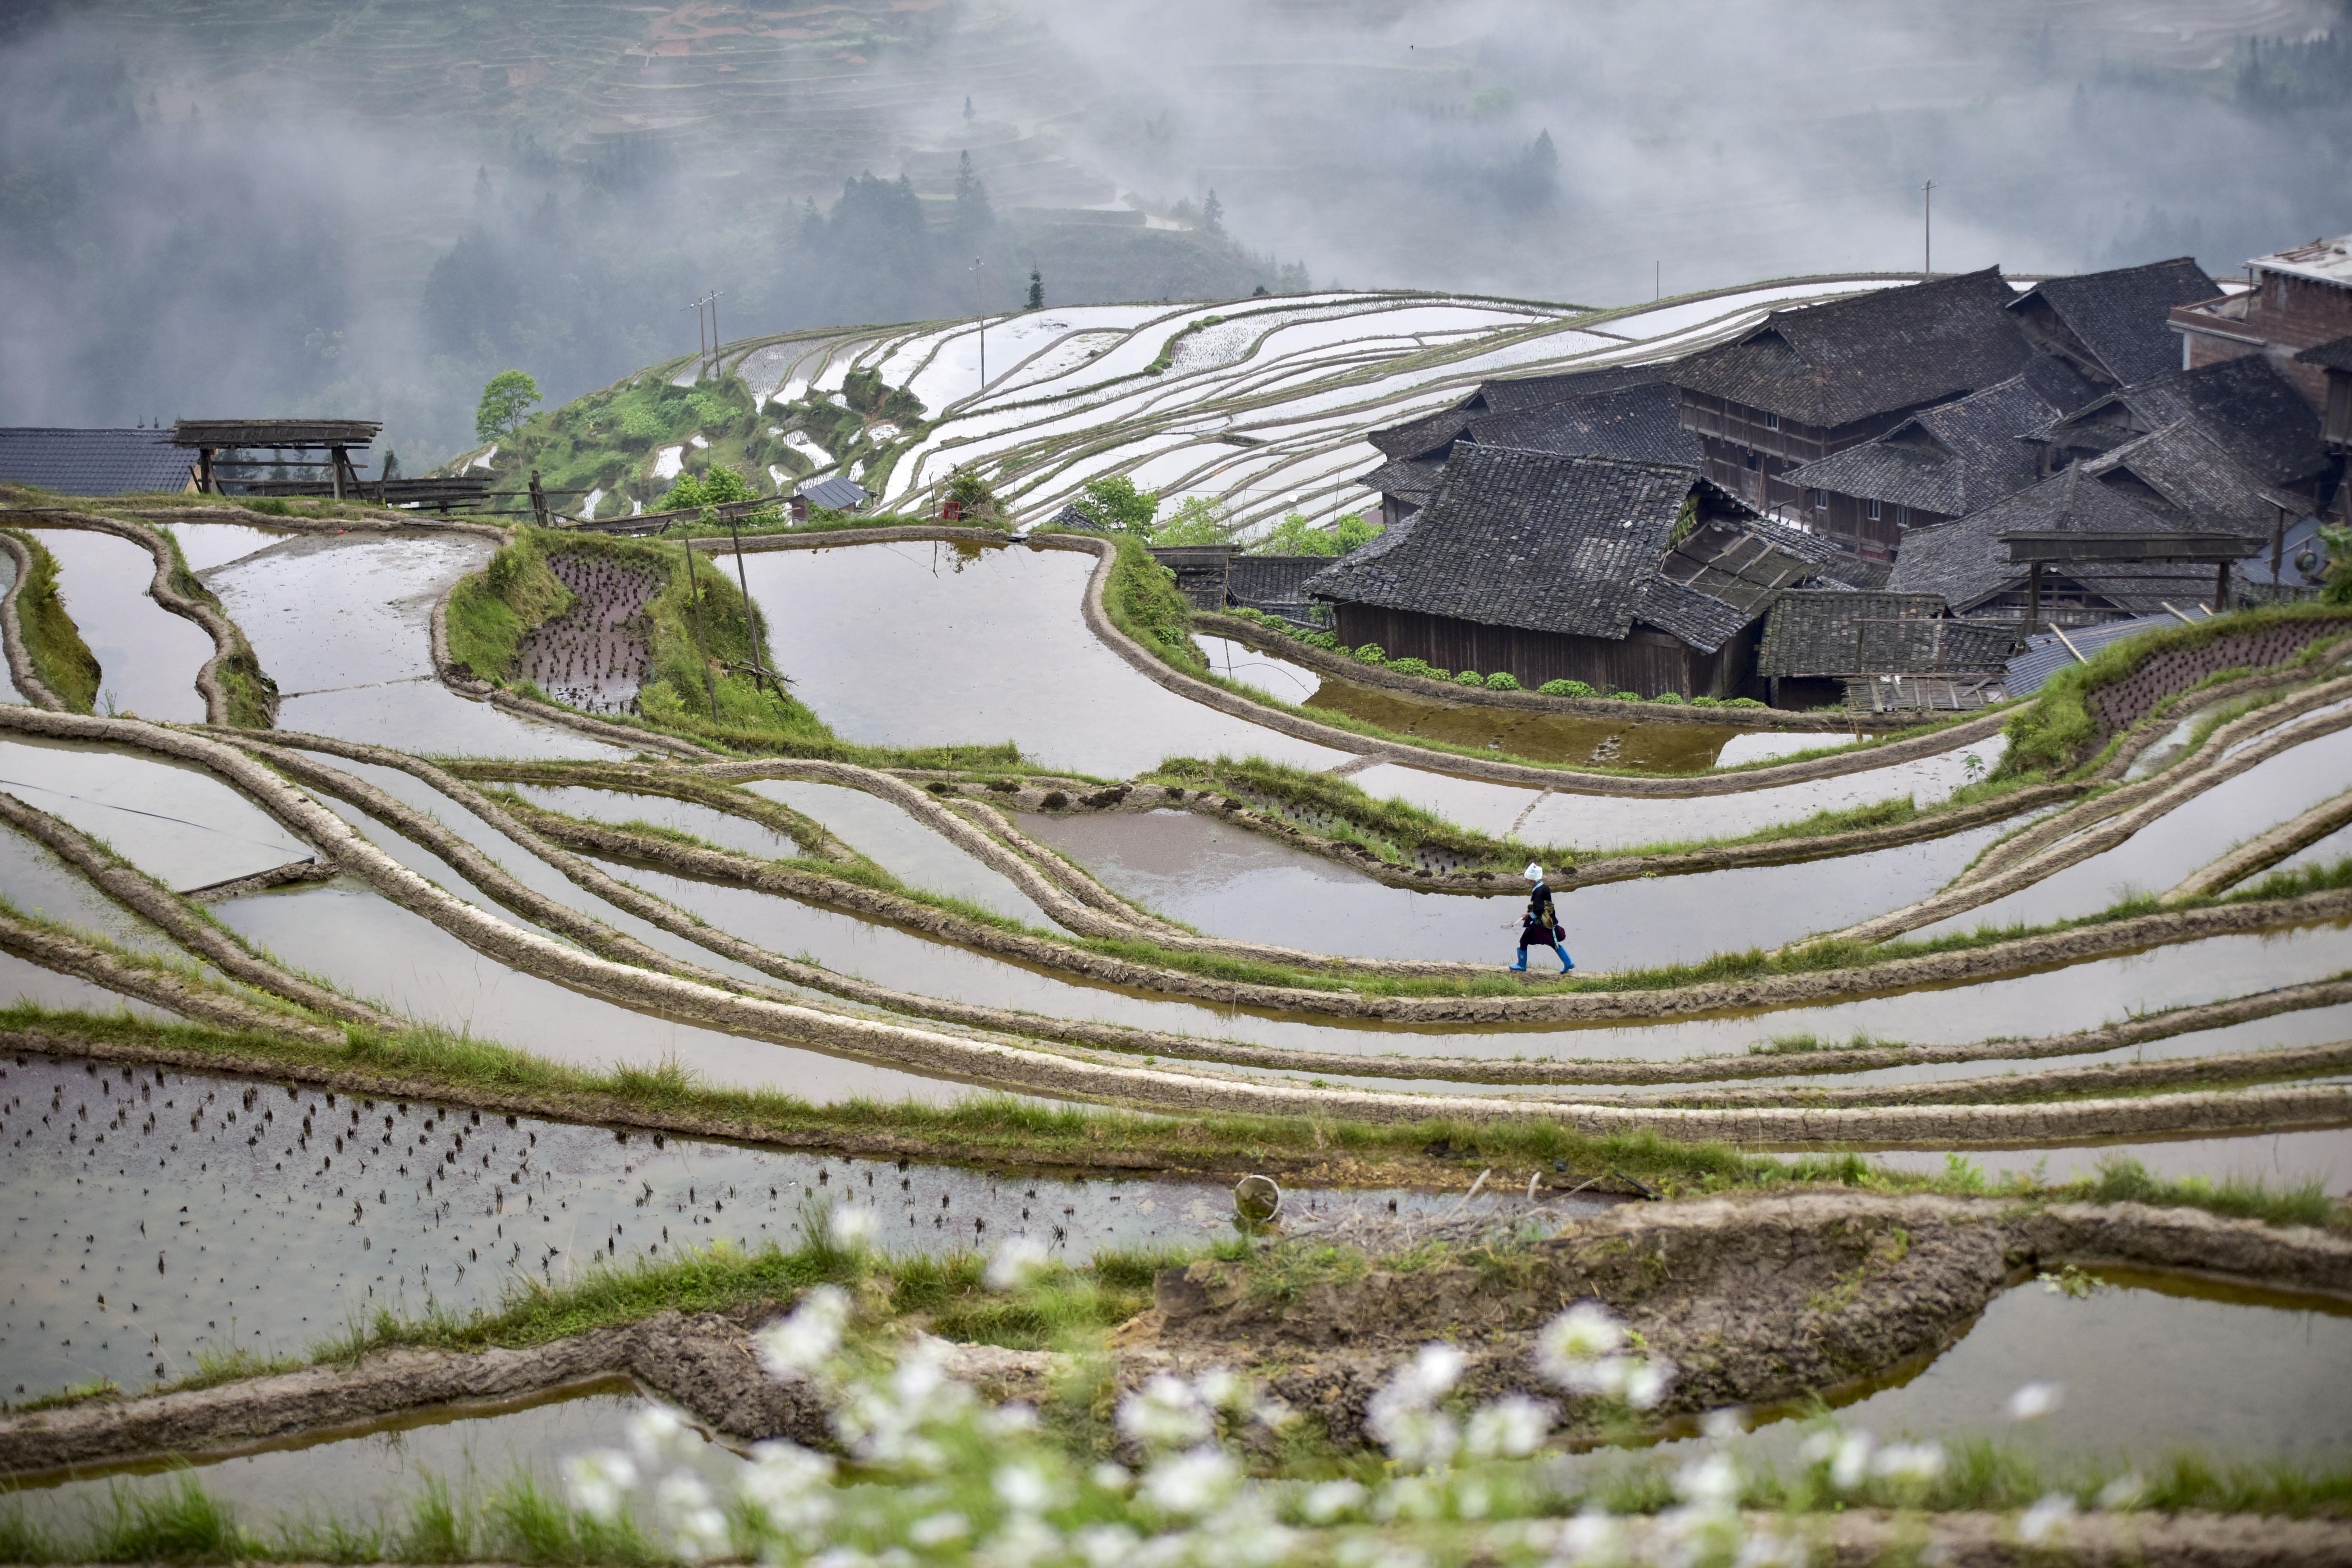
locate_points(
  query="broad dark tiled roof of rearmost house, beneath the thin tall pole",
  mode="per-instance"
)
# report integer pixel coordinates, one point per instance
(1871, 354)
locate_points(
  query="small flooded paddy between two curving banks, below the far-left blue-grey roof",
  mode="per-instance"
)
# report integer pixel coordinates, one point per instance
(147, 655)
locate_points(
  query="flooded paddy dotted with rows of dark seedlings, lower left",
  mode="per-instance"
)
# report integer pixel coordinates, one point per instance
(281, 1242)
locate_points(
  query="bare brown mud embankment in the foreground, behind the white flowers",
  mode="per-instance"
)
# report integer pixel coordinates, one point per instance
(1756, 1301)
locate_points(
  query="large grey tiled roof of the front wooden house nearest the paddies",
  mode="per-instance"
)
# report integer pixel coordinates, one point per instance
(1523, 540)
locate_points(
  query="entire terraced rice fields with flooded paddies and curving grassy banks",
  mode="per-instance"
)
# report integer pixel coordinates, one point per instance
(467, 1005)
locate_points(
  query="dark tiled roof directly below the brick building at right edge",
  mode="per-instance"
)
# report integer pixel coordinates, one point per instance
(2247, 406)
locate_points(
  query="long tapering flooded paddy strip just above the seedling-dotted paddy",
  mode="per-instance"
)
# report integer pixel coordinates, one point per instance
(377, 951)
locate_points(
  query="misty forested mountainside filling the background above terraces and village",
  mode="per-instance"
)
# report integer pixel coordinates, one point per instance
(366, 210)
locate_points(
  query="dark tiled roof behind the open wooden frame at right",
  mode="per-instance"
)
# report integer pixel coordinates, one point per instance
(1967, 565)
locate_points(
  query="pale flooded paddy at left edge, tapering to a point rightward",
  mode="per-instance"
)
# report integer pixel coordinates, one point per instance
(168, 819)
